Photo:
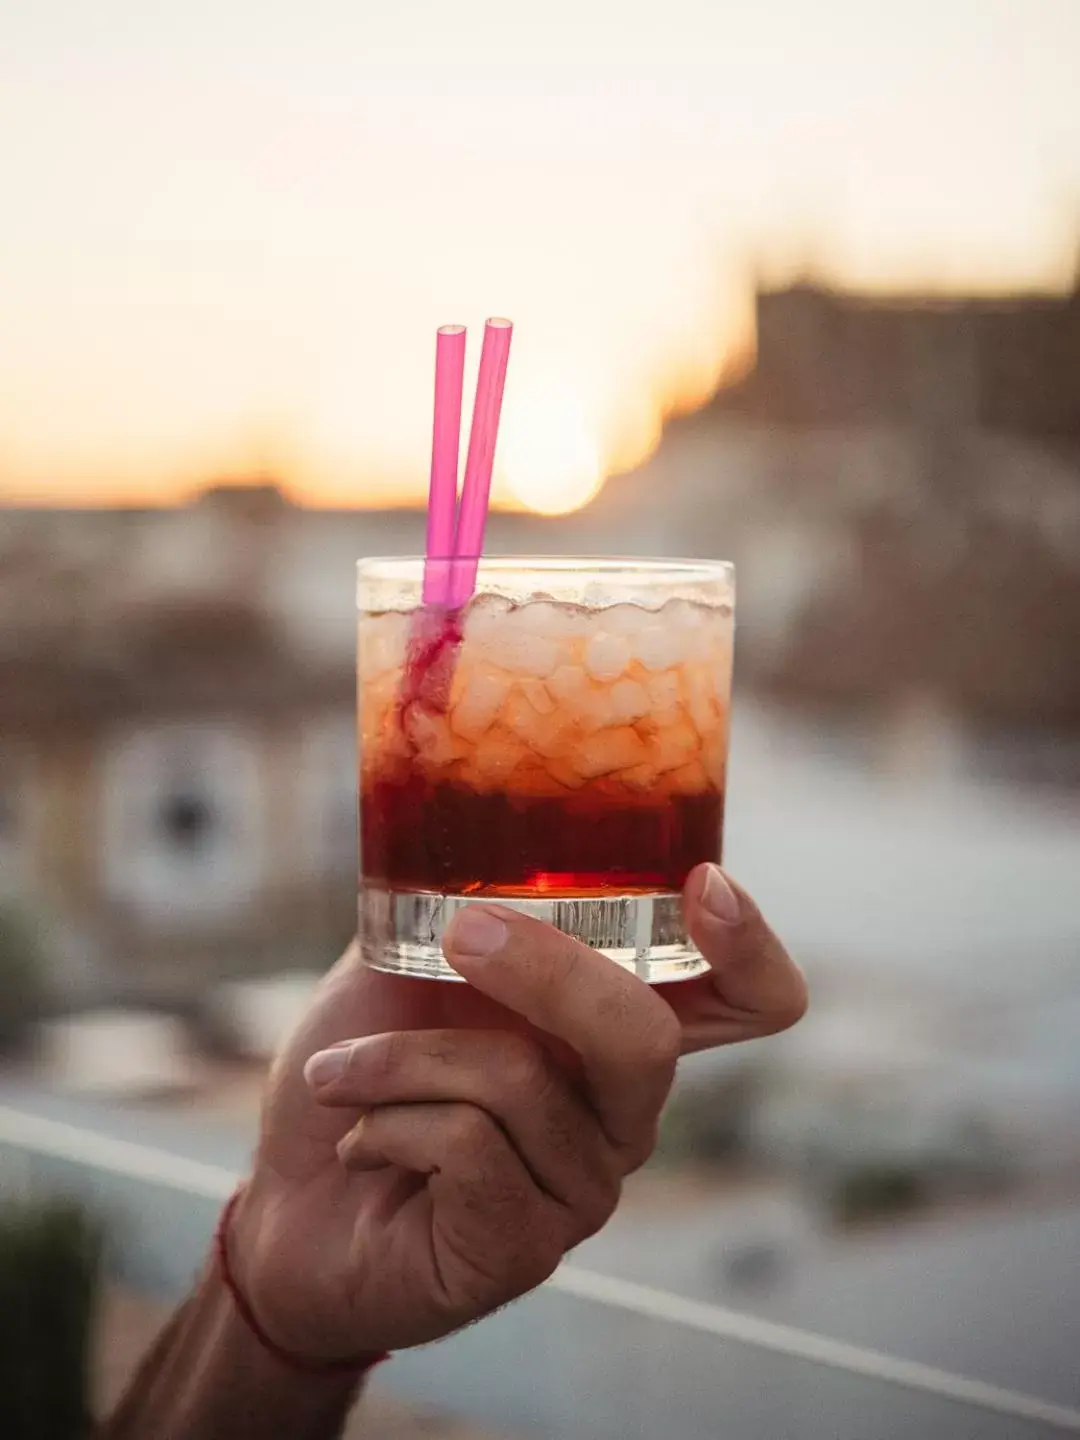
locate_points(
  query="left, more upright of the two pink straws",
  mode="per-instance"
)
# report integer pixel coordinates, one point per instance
(443, 495)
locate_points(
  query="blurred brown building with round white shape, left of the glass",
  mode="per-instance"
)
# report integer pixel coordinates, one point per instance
(178, 742)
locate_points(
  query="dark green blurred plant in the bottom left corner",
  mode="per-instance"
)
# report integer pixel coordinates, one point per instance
(50, 1268)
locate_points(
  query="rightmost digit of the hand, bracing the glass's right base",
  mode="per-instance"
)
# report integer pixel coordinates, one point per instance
(755, 989)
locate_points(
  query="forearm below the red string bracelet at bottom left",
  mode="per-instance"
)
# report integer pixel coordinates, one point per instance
(208, 1377)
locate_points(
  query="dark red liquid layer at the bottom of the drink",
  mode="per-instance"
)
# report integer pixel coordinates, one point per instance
(423, 836)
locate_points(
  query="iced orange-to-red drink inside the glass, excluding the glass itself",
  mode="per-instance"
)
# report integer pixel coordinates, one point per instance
(601, 771)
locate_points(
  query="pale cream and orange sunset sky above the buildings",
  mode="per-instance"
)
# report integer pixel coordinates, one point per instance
(230, 228)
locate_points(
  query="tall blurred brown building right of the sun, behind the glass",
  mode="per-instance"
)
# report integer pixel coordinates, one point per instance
(898, 482)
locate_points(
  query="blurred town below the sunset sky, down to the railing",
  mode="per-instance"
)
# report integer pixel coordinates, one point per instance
(898, 482)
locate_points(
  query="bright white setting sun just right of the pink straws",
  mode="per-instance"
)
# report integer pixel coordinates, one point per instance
(549, 447)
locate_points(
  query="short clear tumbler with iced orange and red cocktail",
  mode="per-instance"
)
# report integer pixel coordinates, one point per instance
(558, 744)
